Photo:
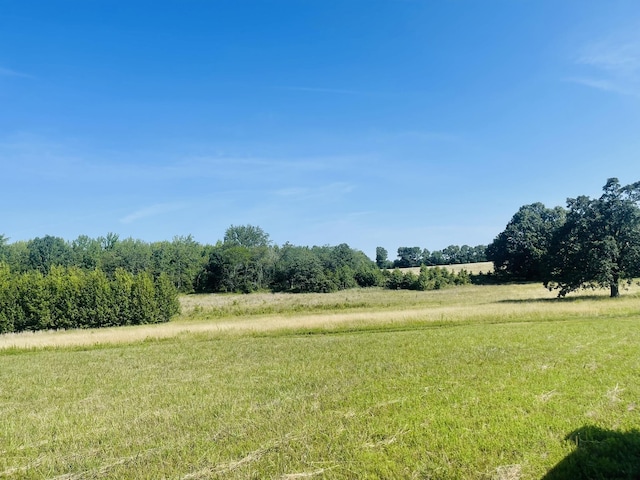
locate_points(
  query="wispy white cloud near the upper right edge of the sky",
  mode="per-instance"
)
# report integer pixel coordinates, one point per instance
(612, 64)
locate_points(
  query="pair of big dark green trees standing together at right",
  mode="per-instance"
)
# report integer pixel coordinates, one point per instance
(592, 243)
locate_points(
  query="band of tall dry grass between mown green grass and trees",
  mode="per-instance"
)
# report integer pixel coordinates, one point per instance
(264, 312)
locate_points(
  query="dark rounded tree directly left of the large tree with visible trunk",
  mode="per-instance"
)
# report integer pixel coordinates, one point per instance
(519, 250)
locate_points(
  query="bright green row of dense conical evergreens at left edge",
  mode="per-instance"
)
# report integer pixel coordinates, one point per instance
(68, 297)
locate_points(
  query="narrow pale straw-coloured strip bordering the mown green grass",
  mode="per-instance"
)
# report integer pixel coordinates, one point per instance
(265, 323)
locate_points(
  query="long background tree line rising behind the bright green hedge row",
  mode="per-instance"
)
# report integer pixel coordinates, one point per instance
(244, 261)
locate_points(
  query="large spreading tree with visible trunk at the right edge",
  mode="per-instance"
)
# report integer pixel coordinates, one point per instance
(599, 244)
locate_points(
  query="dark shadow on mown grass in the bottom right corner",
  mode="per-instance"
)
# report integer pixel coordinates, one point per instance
(600, 454)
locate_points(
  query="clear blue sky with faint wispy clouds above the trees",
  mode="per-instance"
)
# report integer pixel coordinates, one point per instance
(375, 123)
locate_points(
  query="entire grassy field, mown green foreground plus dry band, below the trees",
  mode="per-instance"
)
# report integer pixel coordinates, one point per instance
(494, 382)
